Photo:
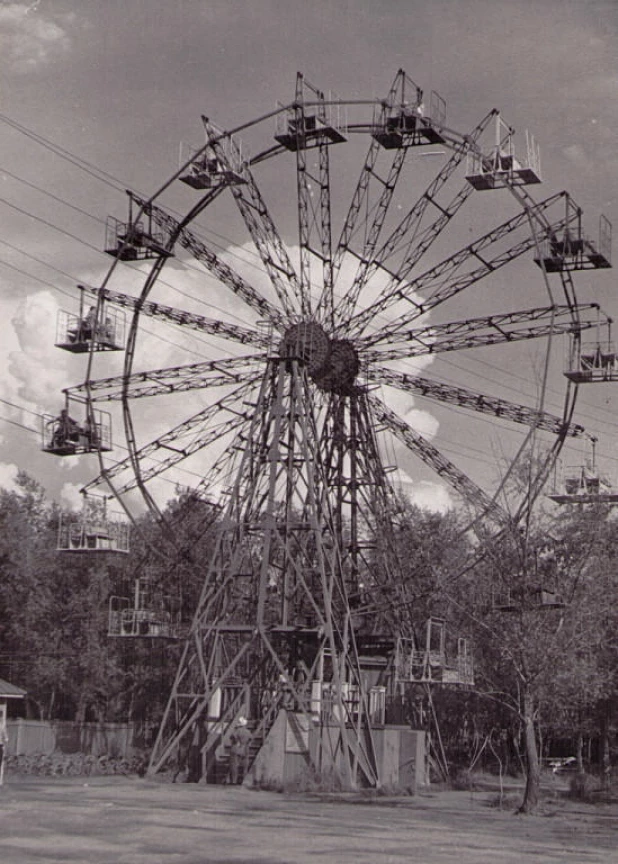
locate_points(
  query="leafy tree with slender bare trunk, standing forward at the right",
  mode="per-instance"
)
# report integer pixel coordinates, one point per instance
(537, 625)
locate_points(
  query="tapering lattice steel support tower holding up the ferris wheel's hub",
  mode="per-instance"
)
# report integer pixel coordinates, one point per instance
(288, 567)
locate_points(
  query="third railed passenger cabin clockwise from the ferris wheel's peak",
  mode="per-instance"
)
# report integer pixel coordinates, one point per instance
(571, 249)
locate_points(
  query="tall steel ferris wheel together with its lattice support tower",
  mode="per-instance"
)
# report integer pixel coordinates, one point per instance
(349, 309)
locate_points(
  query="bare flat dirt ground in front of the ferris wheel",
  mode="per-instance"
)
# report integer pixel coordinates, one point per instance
(139, 821)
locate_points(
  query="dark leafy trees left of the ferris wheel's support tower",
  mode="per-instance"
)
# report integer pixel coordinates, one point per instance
(54, 610)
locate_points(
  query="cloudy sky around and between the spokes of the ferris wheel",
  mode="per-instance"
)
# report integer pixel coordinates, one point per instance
(97, 95)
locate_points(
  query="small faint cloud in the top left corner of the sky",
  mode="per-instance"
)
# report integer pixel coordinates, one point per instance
(29, 39)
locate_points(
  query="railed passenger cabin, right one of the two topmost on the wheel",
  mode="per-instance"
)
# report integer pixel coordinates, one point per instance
(402, 119)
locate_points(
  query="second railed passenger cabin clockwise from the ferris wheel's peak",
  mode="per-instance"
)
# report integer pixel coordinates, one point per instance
(497, 167)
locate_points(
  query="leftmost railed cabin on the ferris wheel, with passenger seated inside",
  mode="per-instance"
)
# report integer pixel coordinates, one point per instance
(62, 435)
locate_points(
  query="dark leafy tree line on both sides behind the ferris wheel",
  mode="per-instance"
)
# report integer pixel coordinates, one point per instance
(538, 603)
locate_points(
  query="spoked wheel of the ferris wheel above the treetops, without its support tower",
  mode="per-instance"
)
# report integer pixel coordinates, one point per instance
(392, 291)
